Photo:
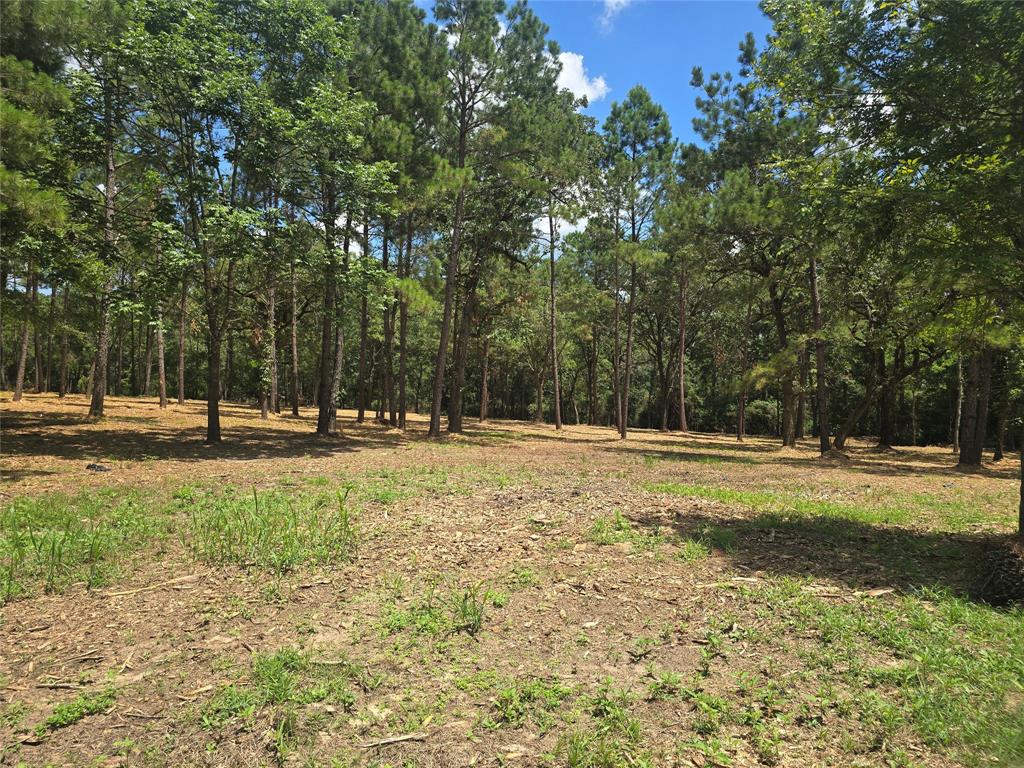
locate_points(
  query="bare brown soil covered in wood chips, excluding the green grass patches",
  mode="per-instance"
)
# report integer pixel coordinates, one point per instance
(513, 499)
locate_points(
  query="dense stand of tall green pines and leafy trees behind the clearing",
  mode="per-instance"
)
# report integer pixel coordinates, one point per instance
(340, 204)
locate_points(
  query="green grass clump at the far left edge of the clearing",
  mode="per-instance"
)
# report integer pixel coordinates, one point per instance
(52, 542)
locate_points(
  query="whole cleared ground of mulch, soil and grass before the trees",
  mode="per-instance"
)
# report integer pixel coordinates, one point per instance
(514, 596)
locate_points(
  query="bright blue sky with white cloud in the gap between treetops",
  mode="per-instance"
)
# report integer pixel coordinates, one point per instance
(656, 44)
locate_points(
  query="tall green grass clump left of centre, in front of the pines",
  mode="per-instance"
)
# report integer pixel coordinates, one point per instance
(276, 532)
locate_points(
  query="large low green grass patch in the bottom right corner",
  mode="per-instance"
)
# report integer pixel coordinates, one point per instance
(956, 674)
